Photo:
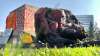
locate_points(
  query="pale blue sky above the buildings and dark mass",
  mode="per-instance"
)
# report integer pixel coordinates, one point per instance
(78, 7)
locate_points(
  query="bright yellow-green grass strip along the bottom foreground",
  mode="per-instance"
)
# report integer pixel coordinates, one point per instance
(67, 51)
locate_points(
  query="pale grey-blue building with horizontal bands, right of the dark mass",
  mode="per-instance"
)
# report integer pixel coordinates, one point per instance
(88, 22)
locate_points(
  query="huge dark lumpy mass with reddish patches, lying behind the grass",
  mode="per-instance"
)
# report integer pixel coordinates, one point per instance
(58, 27)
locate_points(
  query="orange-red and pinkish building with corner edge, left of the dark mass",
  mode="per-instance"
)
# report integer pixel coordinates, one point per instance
(22, 19)
